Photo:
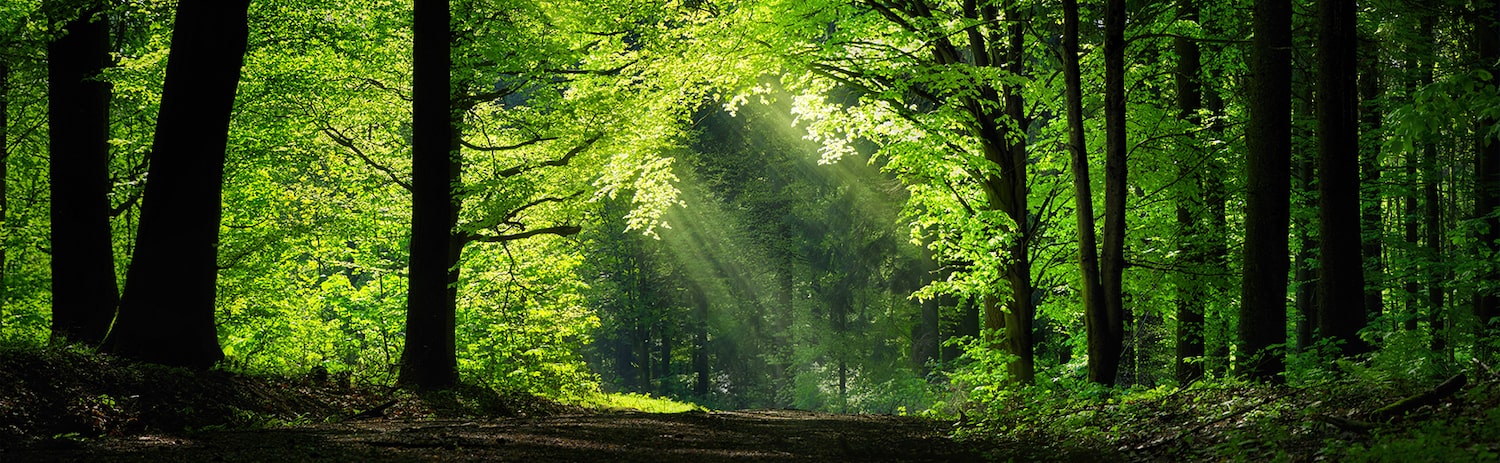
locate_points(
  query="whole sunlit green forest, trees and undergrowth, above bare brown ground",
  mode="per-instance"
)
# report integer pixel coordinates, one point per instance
(1268, 224)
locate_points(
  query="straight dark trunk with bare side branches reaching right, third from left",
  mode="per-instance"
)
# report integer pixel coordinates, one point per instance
(428, 362)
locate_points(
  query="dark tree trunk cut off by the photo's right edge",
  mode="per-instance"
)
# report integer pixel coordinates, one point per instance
(1487, 166)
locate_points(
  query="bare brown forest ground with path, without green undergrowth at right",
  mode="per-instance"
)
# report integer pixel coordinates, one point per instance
(74, 407)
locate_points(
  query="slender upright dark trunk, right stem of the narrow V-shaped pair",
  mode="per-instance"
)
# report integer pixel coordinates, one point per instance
(1106, 368)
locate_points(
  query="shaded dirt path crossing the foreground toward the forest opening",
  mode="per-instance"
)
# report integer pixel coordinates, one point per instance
(695, 437)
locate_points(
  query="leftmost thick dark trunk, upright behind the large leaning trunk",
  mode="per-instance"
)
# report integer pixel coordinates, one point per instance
(85, 291)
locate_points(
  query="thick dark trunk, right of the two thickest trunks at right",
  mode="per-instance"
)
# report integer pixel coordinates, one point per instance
(1342, 276)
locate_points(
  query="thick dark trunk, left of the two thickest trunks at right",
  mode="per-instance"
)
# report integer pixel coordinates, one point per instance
(1268, 139)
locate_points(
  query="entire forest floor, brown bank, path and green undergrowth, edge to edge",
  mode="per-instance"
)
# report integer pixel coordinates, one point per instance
(65, 405)
